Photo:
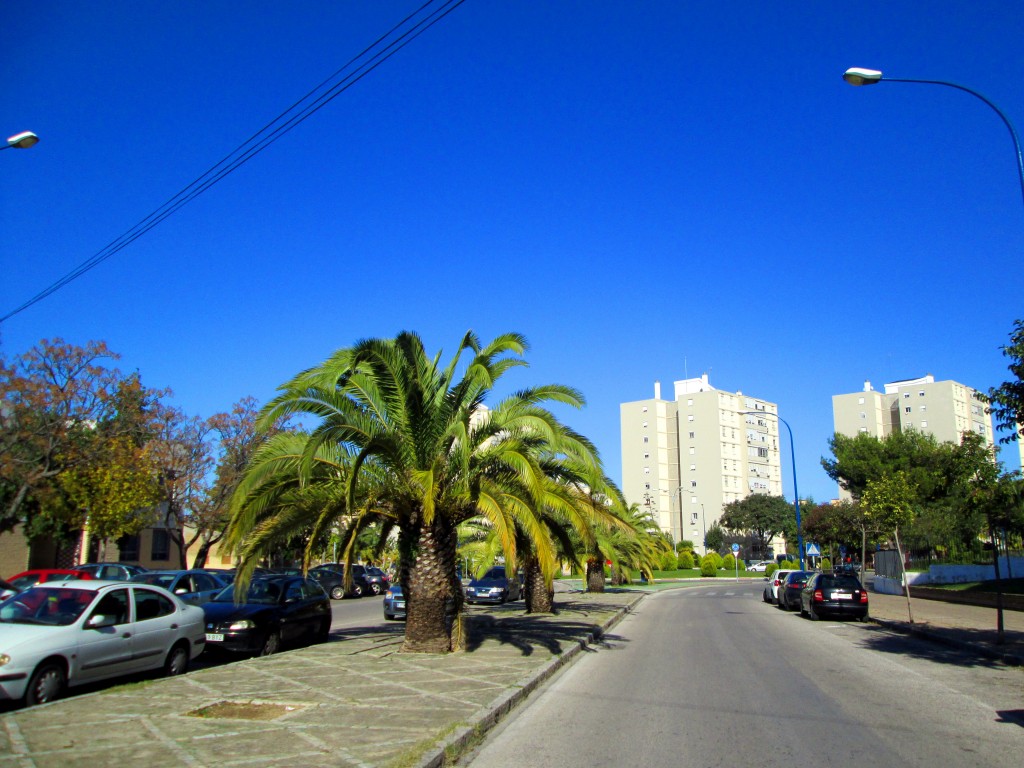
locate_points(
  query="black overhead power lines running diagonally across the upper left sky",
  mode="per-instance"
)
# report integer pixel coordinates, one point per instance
(358, 68)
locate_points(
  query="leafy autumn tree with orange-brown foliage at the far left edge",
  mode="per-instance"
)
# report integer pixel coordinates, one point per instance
(70, 432)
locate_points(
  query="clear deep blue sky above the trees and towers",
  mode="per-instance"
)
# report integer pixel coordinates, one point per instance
(645, 190)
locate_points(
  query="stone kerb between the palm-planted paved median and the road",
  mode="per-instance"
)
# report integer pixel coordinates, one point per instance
(460, 742)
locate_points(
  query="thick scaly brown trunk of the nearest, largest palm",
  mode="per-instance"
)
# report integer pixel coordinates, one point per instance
(435, 596)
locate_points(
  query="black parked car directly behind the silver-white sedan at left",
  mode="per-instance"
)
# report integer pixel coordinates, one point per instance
(278, 611)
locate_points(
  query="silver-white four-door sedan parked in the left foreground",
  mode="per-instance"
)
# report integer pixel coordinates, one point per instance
(69, 633)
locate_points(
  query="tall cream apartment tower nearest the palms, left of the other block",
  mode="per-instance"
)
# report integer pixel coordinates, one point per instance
(687, 458)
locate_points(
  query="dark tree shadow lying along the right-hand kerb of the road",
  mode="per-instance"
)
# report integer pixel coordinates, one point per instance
(961, 648)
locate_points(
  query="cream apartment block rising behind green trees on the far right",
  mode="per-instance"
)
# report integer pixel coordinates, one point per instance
(944, 409)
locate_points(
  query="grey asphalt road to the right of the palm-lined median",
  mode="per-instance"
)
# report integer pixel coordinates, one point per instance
(712, 676)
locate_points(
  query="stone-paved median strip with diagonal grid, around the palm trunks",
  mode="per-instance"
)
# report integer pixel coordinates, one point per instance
(352, 702)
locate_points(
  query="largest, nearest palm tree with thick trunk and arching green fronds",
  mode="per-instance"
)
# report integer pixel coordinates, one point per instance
(415, 449)
